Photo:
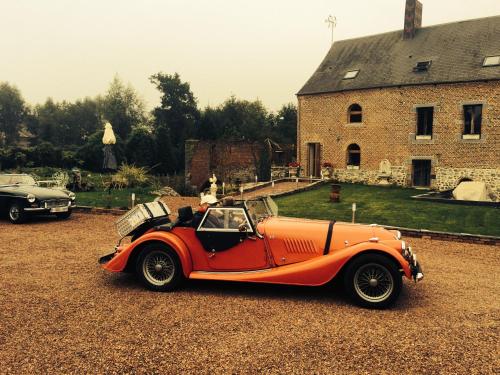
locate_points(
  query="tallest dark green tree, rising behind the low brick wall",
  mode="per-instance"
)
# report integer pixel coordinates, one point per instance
(174, 120)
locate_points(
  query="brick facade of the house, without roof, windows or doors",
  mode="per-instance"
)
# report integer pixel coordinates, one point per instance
(388, 131)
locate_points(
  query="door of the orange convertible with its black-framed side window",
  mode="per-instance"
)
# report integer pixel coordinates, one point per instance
(229, 240)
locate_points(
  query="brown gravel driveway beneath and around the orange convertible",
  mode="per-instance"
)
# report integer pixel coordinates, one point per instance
(60, 313)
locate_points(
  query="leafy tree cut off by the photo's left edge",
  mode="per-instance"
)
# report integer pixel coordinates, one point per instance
(12, 112)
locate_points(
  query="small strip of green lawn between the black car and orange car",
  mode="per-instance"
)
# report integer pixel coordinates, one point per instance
(117, 198)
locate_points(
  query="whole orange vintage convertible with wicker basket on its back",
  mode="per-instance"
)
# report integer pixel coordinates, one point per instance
(248, 242)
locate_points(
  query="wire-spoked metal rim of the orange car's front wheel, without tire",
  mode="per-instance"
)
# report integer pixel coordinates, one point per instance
(373, 282)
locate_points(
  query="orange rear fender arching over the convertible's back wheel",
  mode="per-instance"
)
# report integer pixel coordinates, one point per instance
(121, 258)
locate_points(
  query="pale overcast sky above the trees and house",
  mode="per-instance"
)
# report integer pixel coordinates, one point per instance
(259, 49)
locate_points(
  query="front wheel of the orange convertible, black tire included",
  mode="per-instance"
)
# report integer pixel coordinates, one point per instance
(373, 281)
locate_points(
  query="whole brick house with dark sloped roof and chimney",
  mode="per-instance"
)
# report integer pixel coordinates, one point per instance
(424, 100)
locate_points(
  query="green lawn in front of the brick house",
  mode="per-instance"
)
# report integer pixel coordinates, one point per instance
(391, 206)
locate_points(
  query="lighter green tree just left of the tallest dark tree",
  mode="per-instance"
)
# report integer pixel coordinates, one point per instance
(122, 107)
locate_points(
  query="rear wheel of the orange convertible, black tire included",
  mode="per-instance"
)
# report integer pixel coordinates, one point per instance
(158, 267)
